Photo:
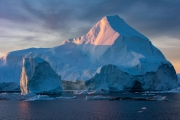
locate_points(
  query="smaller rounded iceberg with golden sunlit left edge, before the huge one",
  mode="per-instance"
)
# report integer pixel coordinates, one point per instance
(38, 77)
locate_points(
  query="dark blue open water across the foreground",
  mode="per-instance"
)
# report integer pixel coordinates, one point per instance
(80, 109)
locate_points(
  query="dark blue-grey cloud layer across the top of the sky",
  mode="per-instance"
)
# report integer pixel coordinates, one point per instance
(151, 18)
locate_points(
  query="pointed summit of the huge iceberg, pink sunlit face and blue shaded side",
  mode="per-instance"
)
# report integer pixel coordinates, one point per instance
(107, 30)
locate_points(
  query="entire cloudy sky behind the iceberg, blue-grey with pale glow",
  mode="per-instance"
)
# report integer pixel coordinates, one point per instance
(46, 23)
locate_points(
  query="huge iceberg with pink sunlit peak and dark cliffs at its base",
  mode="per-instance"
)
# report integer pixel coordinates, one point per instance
(126, 58)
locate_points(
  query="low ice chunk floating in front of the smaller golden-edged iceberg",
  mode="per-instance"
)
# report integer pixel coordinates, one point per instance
(39, 97)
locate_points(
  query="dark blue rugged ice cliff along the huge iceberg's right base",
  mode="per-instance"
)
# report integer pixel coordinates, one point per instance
(110, 78)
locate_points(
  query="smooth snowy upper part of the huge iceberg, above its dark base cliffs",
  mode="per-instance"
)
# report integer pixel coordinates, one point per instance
(110, 41)
